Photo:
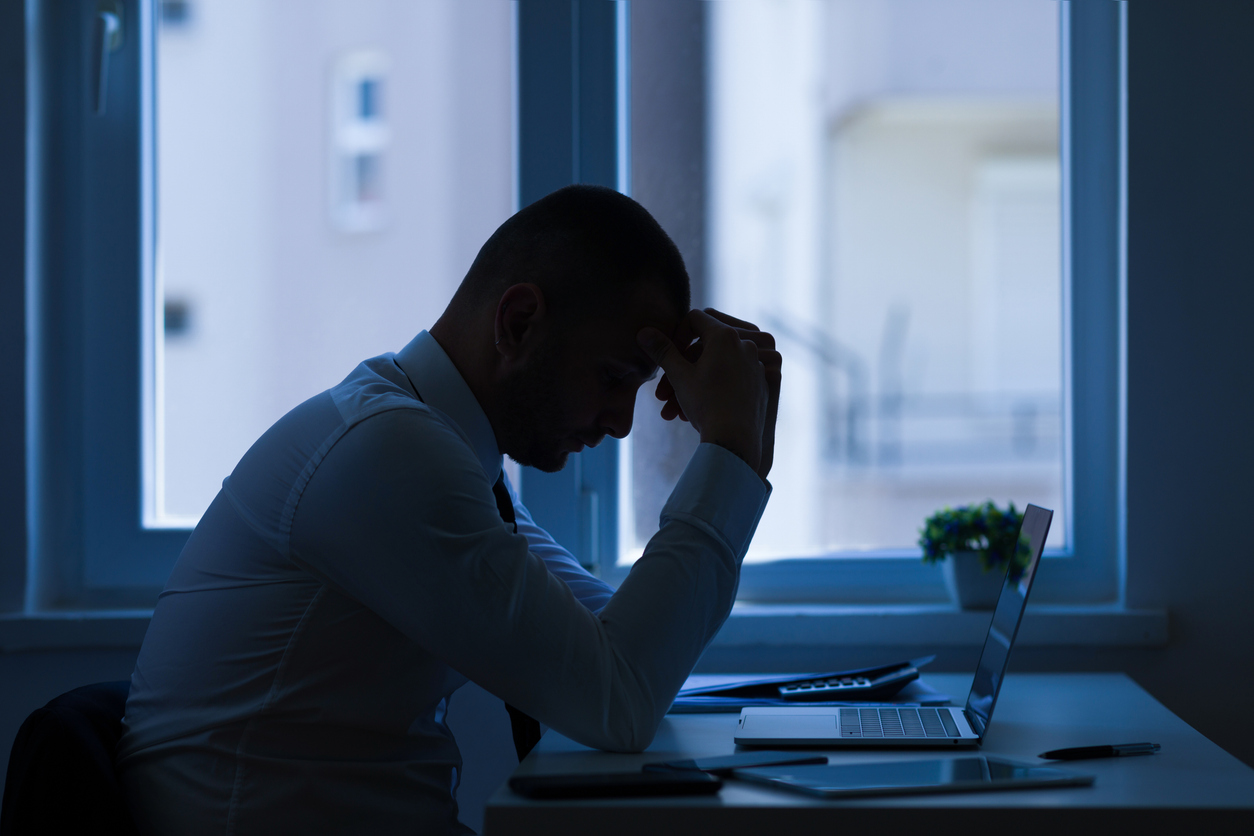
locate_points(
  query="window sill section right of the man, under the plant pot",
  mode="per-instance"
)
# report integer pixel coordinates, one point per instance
(811, 626)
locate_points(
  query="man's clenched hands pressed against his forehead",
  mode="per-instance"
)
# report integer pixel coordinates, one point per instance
(727, 383)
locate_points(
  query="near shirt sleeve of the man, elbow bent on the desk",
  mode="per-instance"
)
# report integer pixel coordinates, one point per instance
(401, 516)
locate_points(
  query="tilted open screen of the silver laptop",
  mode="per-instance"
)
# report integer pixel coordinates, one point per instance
(1006, 622)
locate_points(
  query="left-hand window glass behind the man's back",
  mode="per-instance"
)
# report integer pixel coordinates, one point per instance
(327, 174)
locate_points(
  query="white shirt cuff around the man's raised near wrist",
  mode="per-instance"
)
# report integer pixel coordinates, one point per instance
(720, 492)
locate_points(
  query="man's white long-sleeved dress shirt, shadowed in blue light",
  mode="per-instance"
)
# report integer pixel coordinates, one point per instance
(354, 572)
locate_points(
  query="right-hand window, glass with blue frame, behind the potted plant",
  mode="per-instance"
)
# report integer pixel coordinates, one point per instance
(882, 185)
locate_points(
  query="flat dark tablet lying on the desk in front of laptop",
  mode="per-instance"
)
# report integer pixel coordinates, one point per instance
(912, 778)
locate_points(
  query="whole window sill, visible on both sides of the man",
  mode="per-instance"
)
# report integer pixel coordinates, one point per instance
(797, 626)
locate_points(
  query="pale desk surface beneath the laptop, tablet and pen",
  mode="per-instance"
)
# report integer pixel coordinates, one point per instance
(1189, 779)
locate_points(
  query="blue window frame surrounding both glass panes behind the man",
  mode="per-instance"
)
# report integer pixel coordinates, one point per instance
(76, 332)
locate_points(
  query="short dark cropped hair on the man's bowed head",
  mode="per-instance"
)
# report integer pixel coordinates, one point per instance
(581, 245)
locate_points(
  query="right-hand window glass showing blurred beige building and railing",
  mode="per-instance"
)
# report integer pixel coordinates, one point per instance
(882, 192)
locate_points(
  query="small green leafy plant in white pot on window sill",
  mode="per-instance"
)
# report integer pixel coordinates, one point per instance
(983, 543)
